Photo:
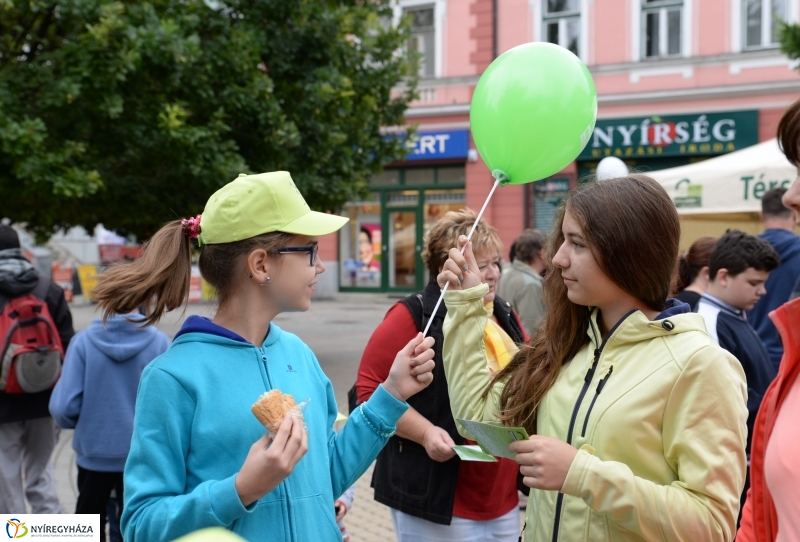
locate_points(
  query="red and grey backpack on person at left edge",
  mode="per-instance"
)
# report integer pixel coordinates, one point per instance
(31, 353)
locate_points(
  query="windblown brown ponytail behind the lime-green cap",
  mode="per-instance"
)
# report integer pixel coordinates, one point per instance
(158, 281)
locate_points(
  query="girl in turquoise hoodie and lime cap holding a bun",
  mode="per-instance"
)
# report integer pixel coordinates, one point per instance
(199, 458)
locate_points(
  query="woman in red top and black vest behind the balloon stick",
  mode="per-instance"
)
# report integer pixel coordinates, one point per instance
(432, 495)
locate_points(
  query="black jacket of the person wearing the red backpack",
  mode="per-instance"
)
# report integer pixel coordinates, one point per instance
(18, 407)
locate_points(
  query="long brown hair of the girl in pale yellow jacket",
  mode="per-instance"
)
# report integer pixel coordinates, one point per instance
(632, 229)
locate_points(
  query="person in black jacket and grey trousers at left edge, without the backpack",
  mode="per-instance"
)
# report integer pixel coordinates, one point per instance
(27, 432)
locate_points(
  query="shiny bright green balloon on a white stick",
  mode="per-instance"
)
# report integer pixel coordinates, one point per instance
(533, 111)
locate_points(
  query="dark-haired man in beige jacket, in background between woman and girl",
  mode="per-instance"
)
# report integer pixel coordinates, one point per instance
(521, 285)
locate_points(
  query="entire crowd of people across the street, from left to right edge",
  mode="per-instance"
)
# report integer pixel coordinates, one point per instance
(659, 388)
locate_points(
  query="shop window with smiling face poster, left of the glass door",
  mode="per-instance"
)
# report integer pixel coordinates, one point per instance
(360, 245)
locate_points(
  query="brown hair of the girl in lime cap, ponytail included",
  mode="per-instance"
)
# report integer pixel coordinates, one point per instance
(159, 280)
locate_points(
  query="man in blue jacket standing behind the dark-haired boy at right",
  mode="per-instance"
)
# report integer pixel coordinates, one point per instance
(779, 223)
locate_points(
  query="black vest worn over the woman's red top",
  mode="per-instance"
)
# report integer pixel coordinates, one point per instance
(405, 478)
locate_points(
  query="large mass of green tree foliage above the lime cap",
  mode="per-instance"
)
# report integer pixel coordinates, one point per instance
(131, 113)
